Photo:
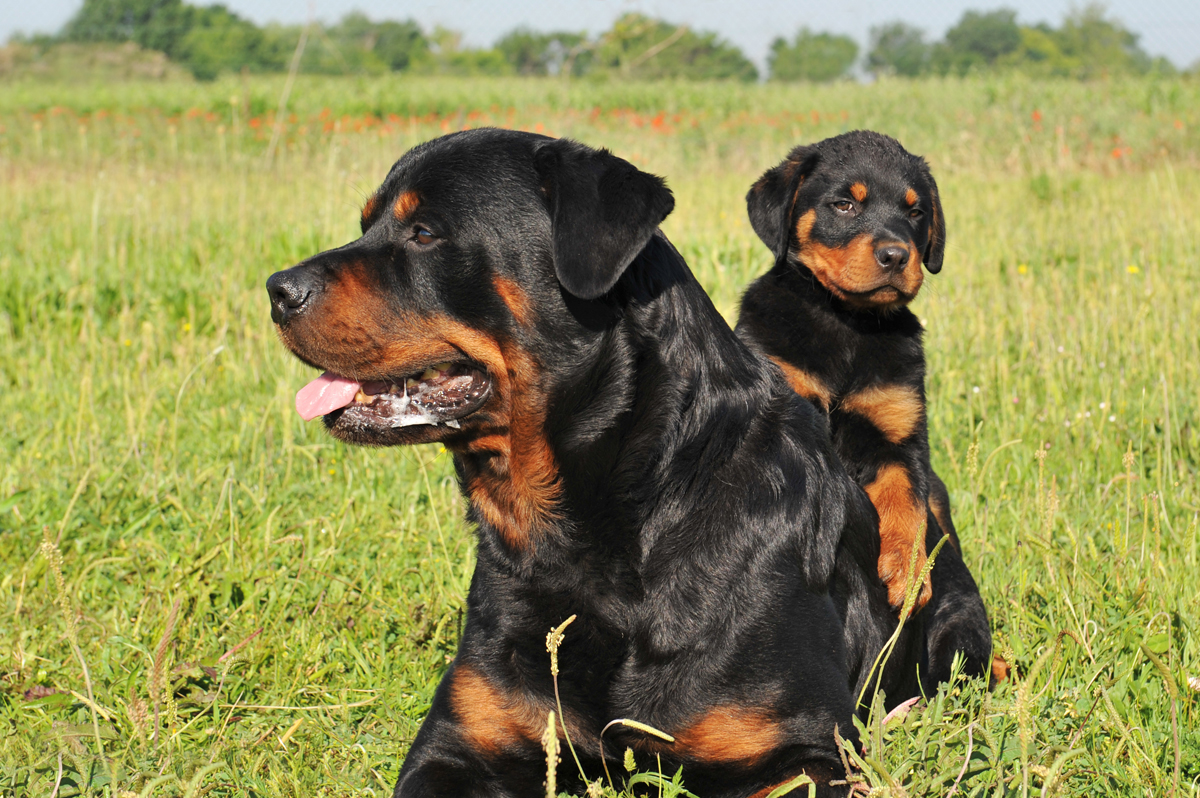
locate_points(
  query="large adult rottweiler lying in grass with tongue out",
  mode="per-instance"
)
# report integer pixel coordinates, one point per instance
(627, 460)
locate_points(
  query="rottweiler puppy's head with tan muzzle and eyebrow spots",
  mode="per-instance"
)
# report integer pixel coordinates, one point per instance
(859, 212)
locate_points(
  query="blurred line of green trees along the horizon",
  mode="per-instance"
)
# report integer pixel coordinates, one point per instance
(211, 40)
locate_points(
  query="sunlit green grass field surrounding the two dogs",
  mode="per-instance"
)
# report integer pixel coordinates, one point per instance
(200, 593)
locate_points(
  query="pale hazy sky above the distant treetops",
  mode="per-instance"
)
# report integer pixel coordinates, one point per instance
(1169, 28)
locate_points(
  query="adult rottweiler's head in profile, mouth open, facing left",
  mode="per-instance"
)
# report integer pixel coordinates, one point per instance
(428, 326)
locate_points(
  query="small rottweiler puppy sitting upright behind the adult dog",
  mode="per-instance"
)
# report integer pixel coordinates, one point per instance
(850, 221)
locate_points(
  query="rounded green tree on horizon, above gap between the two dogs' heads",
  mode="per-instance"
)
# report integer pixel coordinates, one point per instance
(645, 49)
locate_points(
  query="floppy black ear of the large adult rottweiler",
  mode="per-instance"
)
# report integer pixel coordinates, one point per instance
(604, 212)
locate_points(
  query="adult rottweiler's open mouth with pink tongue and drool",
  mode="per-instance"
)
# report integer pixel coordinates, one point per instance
(440, 394)
